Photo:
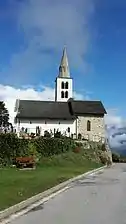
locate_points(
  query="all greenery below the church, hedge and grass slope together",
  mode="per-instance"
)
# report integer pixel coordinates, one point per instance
(57, 159)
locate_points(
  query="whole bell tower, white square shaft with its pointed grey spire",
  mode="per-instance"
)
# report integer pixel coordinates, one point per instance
(64, 83)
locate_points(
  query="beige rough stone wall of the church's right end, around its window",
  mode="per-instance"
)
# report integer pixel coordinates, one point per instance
(97, 131)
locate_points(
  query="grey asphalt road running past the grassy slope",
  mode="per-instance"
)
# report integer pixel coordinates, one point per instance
(95, 200)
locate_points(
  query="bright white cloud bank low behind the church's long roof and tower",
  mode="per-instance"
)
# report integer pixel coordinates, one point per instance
(9, 94)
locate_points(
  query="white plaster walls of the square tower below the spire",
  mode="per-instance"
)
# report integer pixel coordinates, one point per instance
(58, 89)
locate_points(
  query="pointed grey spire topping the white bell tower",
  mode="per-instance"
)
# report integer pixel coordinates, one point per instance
(64, 66)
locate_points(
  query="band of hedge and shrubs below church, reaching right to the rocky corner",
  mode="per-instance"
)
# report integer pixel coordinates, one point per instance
(12, 147)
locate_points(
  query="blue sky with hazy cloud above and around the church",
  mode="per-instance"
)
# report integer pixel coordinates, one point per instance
(34, 32)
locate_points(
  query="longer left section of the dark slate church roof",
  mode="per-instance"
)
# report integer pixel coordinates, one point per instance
(44, 109)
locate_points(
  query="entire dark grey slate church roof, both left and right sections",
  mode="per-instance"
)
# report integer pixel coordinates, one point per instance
(58, 110)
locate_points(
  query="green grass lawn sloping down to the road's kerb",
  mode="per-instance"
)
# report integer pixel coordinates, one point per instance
(16, 185)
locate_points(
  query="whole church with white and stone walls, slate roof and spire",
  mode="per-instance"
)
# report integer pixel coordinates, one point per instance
(77, 118)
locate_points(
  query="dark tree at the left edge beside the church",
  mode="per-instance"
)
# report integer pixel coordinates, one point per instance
(4, 115)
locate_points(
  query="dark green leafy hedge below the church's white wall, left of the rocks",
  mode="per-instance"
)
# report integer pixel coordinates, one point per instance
(11, 147)
